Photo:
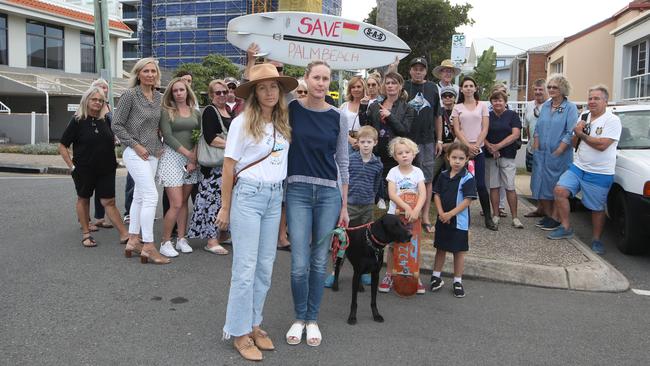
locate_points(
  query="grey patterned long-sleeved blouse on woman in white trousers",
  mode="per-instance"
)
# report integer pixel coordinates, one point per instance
(136, 120)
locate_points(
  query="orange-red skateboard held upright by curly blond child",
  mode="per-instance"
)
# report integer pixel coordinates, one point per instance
(406, 267)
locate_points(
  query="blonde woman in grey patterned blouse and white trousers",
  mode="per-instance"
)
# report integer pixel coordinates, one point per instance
(136, 121)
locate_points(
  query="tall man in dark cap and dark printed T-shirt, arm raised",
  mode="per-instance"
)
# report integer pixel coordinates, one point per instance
(426, 129)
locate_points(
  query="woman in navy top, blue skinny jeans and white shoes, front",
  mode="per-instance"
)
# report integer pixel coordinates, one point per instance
(315, 203)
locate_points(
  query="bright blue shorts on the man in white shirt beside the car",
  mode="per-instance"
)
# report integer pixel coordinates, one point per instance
(594, 187)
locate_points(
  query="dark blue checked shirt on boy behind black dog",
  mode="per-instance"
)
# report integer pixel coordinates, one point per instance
(364, 179)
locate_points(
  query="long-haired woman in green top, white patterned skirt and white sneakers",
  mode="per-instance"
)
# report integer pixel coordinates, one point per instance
(177, 169)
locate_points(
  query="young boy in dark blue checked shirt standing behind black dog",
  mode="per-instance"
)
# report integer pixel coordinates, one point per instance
(365, 176)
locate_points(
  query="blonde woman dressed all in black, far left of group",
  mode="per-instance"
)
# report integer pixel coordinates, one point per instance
(93, 163)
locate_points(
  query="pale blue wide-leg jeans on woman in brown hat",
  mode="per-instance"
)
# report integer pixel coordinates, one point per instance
(254, 225)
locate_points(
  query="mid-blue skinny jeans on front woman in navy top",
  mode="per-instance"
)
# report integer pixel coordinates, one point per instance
(312, 213)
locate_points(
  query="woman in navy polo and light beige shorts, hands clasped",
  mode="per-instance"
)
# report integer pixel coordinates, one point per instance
(504, 130)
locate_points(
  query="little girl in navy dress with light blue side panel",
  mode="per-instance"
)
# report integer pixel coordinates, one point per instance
(454, 191)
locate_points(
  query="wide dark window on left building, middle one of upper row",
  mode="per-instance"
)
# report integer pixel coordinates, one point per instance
(44, 45)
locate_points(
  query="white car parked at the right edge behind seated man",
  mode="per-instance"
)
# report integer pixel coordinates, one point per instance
(628, 203)
